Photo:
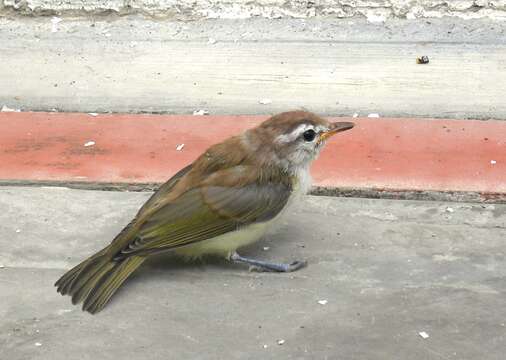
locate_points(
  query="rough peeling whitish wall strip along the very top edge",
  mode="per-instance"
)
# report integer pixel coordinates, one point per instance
(374, 10)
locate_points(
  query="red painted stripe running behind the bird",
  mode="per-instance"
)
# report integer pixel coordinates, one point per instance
(398, 154)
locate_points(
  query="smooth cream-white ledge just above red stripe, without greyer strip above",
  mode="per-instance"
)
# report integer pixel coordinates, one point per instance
(176, 76)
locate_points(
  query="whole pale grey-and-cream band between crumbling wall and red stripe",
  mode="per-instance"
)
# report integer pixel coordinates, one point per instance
(257, 66)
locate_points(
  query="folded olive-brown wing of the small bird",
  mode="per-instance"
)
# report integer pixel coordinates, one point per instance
(206, 212)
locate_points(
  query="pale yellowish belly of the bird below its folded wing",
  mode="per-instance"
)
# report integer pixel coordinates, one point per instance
(226, 244)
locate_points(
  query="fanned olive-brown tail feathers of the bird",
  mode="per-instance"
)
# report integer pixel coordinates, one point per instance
(96, 279)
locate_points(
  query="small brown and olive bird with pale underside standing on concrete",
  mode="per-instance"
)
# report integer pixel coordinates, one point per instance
(227, 198)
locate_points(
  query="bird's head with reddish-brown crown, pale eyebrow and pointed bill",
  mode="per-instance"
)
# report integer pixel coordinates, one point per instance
(294, 139)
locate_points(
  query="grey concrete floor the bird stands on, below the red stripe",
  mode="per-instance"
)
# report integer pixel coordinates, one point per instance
(389, 270)
